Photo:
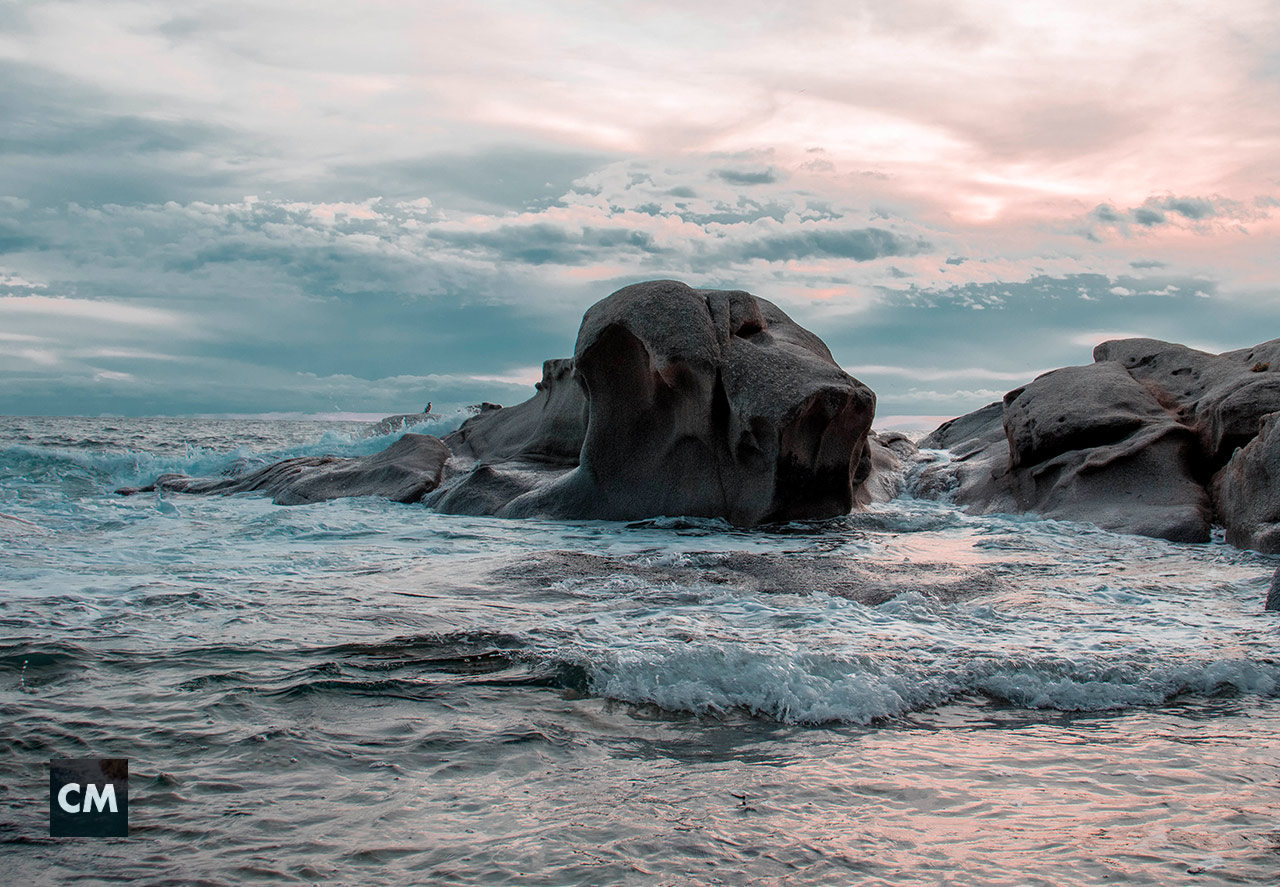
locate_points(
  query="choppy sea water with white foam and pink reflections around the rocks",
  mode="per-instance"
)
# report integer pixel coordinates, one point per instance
(369, 693)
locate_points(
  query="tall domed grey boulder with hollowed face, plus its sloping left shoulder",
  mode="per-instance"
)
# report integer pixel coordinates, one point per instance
(698, 403)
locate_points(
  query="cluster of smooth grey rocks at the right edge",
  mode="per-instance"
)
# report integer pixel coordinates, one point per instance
(1153, 438)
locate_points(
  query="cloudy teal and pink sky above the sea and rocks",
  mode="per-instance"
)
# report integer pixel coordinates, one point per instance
(317, 208)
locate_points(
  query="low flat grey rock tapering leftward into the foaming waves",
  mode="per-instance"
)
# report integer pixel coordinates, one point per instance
(406, 472)
